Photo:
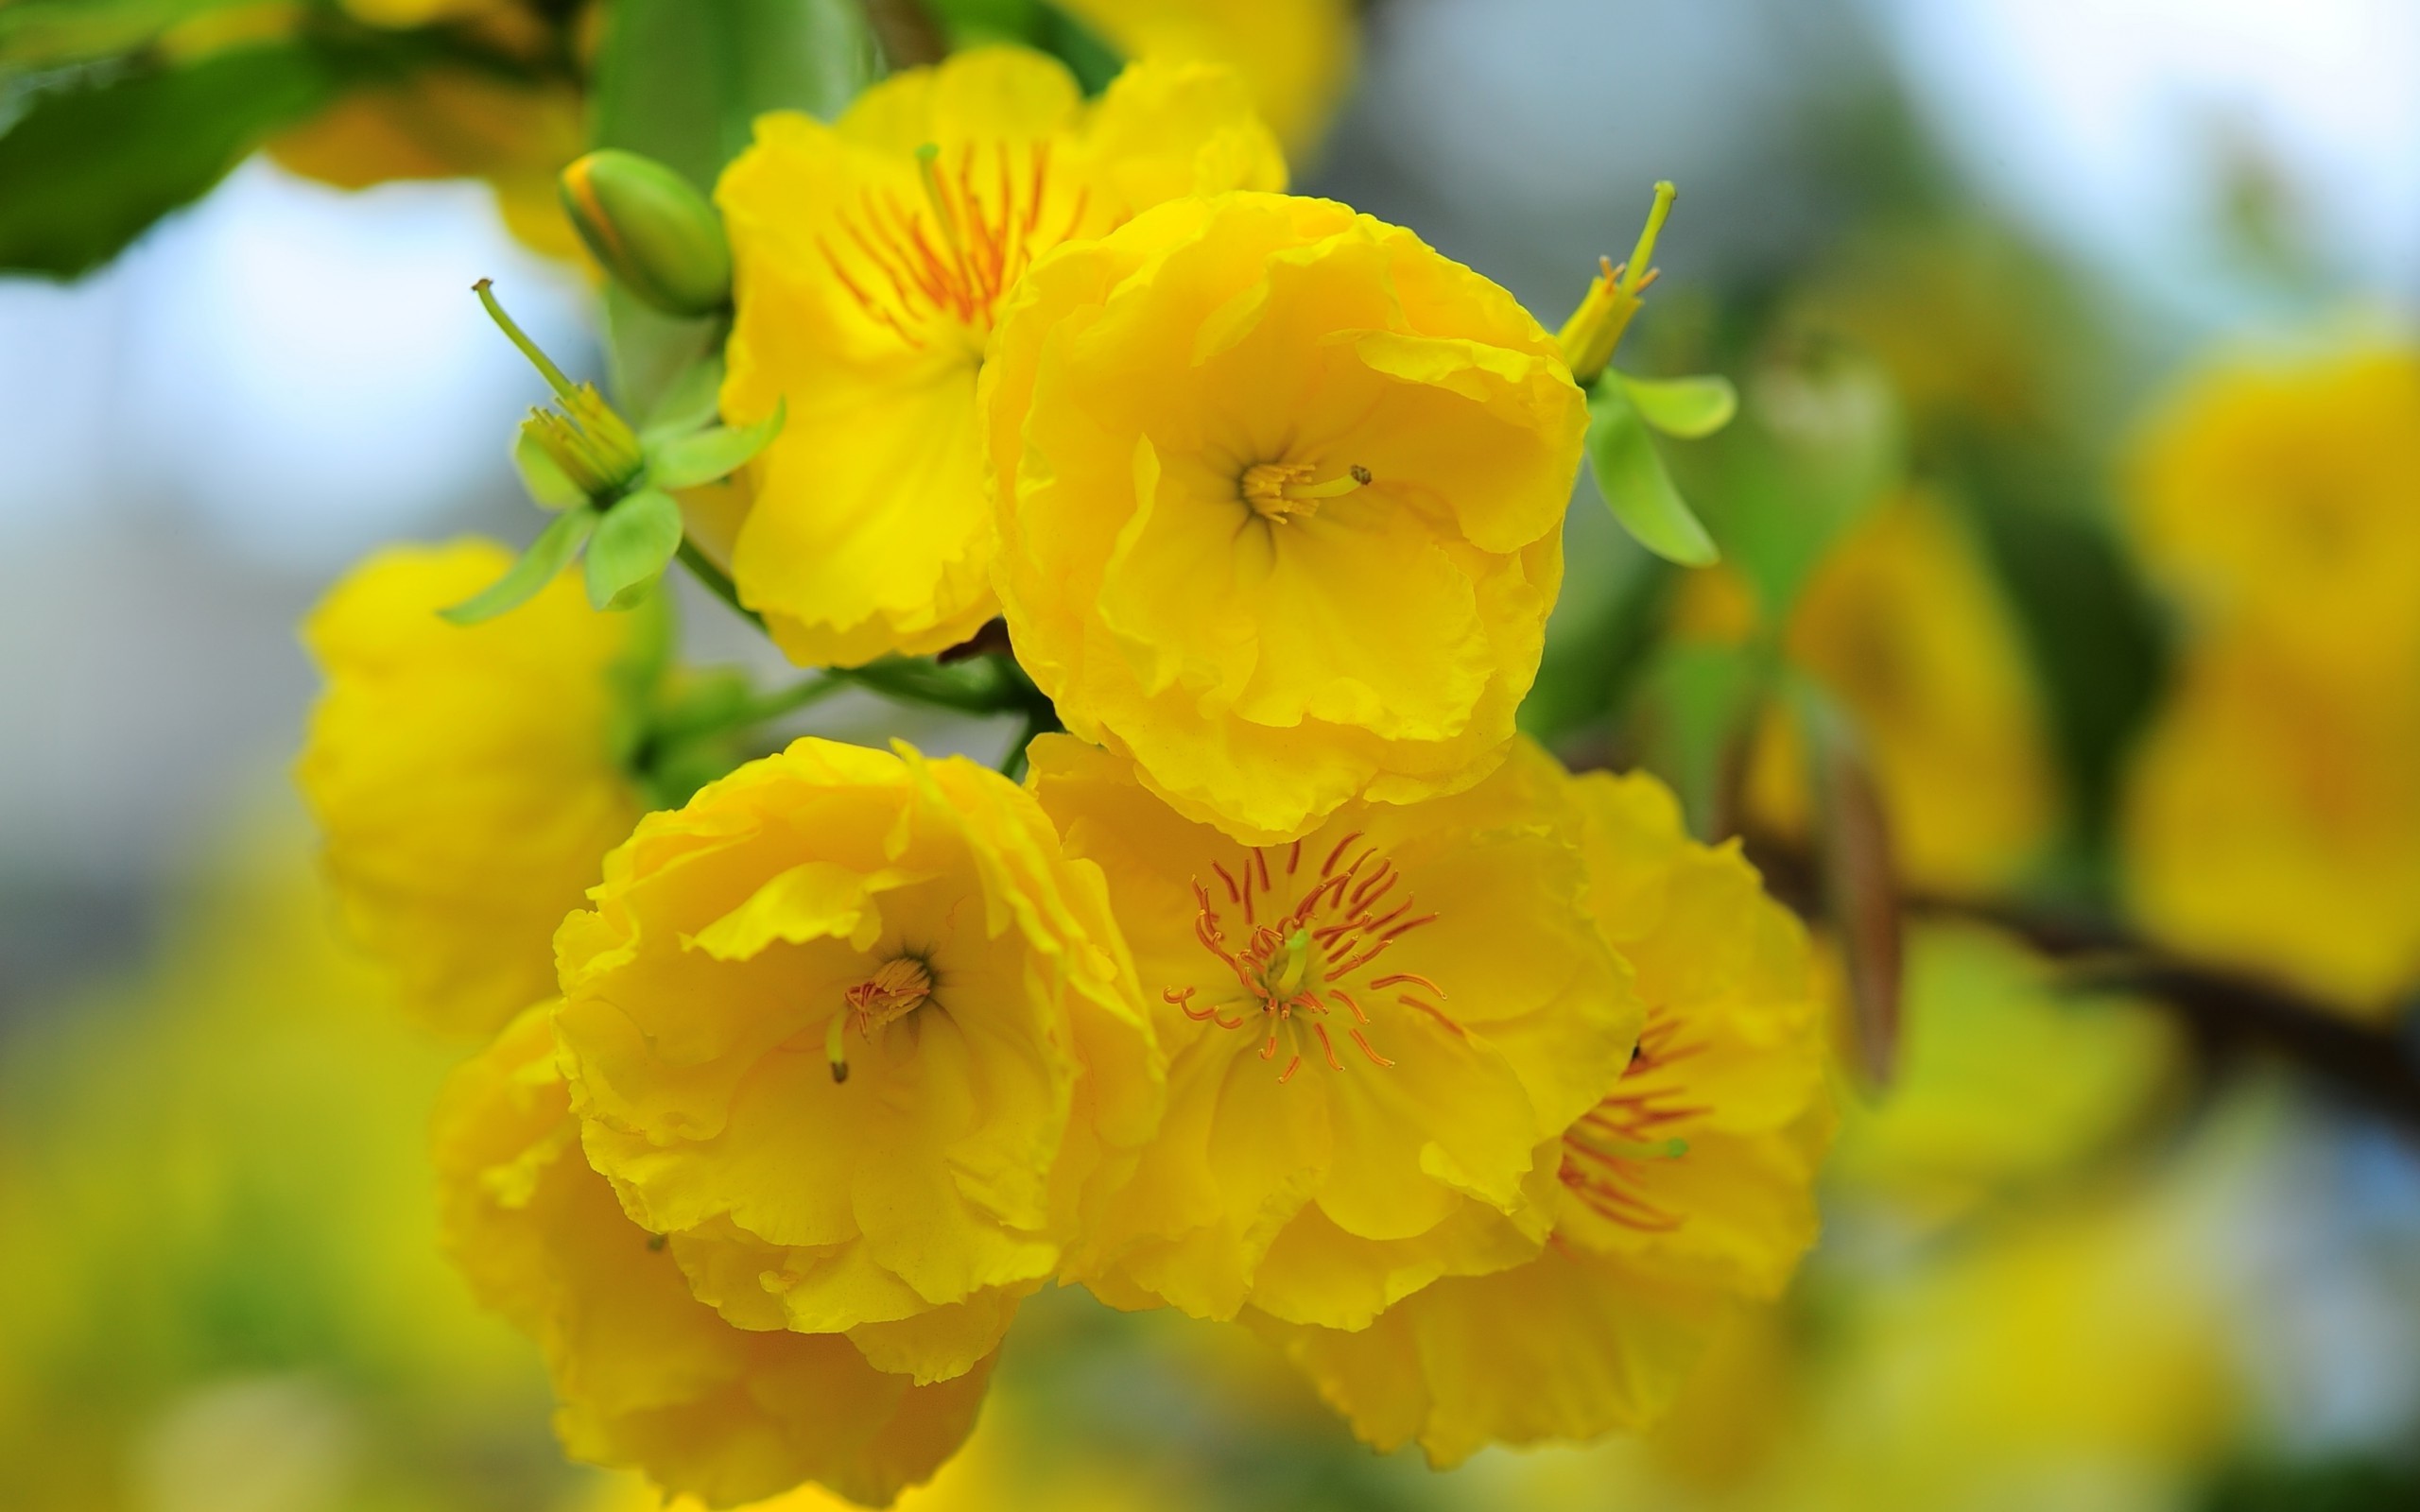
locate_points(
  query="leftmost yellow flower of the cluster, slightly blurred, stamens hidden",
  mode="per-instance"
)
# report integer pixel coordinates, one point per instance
(463, 778)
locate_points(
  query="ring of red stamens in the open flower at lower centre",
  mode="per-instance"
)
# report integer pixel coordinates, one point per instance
(1308, 957)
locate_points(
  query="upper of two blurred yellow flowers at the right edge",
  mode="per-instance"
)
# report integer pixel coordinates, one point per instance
(2281, 500)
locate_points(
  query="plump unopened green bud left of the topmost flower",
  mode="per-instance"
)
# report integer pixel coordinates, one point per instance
(652, 231)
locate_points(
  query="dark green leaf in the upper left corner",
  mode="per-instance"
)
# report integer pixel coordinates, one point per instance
(91, 168)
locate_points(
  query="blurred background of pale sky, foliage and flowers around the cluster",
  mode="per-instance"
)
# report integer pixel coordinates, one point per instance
(2027, 301)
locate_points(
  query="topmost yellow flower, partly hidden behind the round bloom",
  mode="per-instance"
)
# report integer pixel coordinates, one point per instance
(870, 262)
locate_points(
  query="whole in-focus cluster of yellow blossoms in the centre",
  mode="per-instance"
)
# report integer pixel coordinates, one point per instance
(1289, 988)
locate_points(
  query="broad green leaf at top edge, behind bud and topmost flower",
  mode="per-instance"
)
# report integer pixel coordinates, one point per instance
(684, 81)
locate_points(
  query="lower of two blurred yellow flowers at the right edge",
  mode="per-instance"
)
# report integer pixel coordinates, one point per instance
(2274, 819)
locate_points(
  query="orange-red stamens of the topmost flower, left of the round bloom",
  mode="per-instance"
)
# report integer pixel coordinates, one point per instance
(950, 255)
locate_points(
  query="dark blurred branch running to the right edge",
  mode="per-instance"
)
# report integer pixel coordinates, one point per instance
(2232, 1015)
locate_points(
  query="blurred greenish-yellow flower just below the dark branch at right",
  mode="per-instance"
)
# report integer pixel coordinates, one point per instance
(1976, 1109)
